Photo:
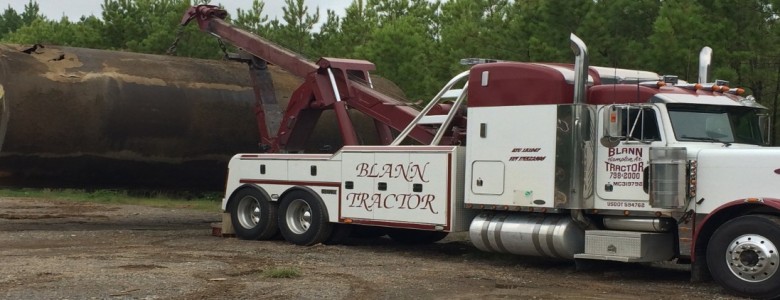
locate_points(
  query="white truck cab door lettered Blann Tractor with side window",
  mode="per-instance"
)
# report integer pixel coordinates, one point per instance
(623, 155)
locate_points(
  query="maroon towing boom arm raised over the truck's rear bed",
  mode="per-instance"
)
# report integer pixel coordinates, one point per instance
(327, 85)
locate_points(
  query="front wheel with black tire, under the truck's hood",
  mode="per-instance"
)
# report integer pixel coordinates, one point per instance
(743, 257)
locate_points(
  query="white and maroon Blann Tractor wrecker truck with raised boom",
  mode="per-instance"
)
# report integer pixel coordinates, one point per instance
(535, 159)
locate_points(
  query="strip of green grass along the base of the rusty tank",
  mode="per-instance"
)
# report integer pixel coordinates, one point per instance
(199, 201)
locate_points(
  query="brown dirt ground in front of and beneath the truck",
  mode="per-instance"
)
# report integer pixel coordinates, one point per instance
(65, 250)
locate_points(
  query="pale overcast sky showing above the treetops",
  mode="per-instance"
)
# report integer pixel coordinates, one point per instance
(74, 9)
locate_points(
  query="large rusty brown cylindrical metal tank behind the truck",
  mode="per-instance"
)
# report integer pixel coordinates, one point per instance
(85, 117)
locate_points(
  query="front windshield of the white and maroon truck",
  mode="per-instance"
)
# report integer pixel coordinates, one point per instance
(712, 123)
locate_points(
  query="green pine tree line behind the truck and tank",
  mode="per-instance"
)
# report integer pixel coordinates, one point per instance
(418, 43)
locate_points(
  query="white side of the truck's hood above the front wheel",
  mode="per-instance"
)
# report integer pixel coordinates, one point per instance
(728, 174)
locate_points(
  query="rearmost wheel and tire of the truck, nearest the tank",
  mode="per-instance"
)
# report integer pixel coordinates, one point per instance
(253, 216)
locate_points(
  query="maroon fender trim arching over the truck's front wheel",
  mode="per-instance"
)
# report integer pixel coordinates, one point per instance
(728, 211)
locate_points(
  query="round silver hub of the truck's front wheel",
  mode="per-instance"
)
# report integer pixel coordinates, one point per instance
(752, 258)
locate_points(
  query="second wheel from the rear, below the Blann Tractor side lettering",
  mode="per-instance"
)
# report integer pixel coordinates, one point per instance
(303, 219)
